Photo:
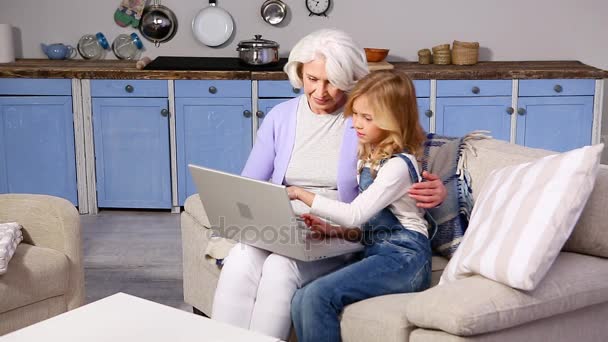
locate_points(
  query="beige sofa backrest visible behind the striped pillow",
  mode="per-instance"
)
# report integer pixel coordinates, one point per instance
(590, 236)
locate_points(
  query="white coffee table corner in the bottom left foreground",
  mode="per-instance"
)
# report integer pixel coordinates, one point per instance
(122, 317)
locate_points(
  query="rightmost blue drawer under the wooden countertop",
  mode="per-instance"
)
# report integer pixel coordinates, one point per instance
(556, 87)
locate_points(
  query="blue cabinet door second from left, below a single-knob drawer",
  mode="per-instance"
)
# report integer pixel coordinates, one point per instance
(132, 152)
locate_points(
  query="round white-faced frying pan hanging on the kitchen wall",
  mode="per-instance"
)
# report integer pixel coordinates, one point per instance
(213, 25)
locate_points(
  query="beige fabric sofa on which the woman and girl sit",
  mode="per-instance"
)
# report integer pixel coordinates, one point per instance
(570, 304)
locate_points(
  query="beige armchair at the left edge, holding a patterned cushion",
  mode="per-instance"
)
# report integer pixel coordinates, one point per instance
(45, 276)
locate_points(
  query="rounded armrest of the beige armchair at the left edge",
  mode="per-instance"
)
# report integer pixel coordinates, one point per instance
(54, 223)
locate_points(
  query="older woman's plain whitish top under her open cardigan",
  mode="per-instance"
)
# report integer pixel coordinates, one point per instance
(314, 159)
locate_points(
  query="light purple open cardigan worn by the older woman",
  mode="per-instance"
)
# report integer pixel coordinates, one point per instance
(274, 144)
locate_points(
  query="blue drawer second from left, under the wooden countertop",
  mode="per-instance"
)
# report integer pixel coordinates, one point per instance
(129, 88)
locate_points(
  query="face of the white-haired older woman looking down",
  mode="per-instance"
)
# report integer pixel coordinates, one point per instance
(322, 96)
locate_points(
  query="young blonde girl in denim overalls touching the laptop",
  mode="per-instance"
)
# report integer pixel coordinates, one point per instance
(397, 255)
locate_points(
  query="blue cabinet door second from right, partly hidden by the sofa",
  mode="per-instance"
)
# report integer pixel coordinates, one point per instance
(458, 116)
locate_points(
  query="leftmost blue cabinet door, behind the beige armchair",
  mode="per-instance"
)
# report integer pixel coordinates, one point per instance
(37, 146)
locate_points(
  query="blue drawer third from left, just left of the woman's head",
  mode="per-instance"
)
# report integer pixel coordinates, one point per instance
(212, 88)
